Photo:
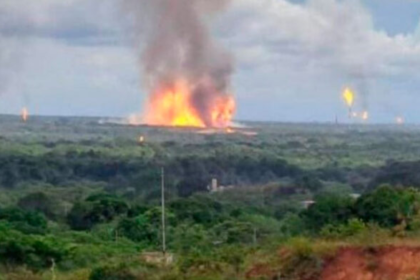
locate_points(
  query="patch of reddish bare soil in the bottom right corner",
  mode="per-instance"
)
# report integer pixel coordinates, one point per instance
(384, 263)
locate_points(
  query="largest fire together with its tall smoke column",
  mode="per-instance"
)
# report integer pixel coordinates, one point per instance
(186, 71)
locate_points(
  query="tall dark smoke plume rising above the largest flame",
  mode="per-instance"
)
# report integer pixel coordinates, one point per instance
(178, 44)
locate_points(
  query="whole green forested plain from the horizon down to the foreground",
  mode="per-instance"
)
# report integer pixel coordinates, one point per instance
(80, 197)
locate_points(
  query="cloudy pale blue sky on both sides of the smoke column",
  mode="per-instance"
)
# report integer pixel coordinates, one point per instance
(293, 58)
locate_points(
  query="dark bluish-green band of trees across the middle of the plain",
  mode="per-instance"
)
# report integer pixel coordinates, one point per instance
(187, 174)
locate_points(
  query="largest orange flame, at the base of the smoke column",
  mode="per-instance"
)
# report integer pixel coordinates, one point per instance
(173, 107)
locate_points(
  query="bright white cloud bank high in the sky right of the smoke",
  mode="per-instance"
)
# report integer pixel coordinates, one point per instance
(328, 34)
